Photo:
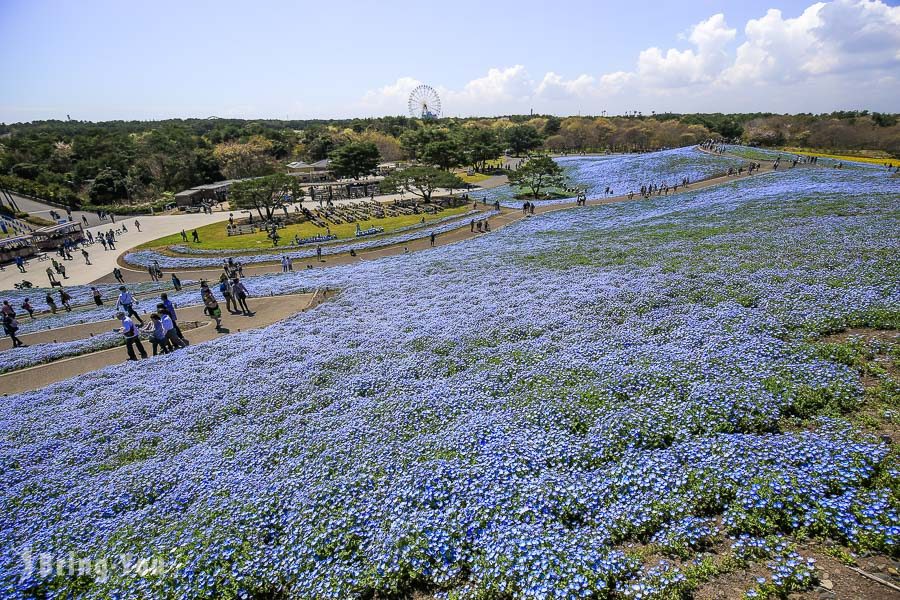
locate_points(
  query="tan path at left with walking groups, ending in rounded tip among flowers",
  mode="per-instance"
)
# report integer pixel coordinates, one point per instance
(268, 310)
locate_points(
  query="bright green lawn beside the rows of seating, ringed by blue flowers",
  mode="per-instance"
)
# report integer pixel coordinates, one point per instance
(215, 237)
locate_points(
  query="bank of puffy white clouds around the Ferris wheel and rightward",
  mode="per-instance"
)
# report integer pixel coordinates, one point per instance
(814, 61)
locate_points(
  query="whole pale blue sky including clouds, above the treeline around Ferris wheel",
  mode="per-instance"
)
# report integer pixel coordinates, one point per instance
(120, 60)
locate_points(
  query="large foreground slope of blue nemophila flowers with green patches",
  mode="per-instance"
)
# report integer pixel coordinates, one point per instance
(501, 417)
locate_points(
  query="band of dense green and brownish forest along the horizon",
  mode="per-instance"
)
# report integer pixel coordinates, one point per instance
(142, 162)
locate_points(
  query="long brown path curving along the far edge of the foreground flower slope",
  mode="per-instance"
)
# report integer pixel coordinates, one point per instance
(506, 217)
